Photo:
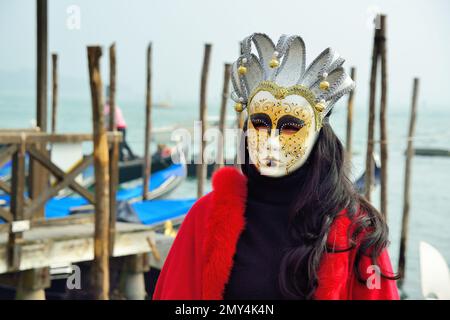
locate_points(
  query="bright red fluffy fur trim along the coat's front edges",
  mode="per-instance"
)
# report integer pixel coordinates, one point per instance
(226, 222)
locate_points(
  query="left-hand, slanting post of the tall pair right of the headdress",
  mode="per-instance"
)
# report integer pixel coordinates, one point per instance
(371, 125)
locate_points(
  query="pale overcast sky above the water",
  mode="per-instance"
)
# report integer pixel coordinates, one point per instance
(418, 41)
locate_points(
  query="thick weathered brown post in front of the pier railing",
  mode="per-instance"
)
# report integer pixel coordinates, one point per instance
(101, 165)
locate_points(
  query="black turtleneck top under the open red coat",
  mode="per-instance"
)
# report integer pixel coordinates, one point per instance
(265, 237)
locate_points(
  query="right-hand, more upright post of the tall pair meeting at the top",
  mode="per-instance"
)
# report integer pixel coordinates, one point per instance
(383, 119)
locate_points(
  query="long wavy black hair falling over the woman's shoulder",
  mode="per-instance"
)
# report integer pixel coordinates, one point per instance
(323, 193)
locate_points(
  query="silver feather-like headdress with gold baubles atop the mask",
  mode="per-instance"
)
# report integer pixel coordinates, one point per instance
(283, 67)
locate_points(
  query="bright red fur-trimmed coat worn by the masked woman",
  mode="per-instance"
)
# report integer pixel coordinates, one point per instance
(201, 258)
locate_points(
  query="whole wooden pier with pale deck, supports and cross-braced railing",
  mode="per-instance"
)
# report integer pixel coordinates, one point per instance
(30, 245)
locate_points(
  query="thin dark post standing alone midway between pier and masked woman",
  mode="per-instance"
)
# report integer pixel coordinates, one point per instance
(148, 126)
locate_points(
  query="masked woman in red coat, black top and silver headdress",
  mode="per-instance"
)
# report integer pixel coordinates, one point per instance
(290, 226)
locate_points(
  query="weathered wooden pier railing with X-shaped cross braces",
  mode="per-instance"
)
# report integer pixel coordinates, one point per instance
(20, 216)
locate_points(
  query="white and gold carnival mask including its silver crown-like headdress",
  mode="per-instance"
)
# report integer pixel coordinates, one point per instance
(285, 104)
